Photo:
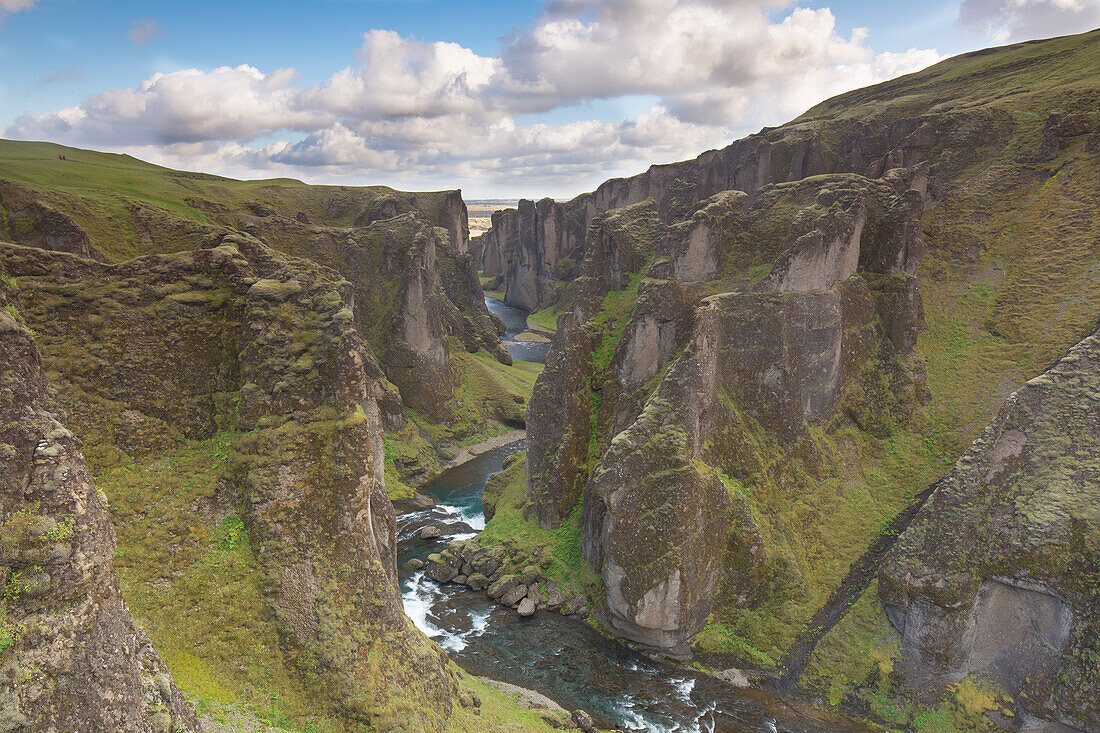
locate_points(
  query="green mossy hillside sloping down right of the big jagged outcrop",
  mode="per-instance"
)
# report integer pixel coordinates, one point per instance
(1006, 146)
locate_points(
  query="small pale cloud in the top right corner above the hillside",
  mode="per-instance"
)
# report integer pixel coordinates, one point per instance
(1021, 20)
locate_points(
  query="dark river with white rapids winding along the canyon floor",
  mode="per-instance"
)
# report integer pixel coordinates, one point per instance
(563, 659)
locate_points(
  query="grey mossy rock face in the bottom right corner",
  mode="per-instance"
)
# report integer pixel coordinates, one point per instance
(998, 576)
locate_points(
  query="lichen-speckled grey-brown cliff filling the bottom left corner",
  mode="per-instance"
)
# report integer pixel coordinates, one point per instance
(71, 655)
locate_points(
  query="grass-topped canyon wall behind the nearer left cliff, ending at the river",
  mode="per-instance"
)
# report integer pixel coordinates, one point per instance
(420, 303)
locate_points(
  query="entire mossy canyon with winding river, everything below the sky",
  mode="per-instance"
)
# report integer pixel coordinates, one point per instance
(811, 434)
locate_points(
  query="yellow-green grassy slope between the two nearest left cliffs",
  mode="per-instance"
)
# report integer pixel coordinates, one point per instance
(190, 577)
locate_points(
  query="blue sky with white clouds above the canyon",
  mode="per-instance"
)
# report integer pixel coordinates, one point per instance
(504, 100)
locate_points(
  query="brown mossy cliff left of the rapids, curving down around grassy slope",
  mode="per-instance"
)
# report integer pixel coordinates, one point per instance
(238, 341)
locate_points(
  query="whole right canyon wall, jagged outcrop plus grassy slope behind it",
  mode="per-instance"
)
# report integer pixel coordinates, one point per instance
(775, 373)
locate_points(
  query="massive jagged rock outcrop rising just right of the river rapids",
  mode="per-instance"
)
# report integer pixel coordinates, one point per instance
(768, 357)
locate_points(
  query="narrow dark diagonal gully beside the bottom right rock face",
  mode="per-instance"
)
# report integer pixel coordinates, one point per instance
(857, 581)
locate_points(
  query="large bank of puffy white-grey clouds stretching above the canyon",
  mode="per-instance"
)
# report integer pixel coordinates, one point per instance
(410, 112)
